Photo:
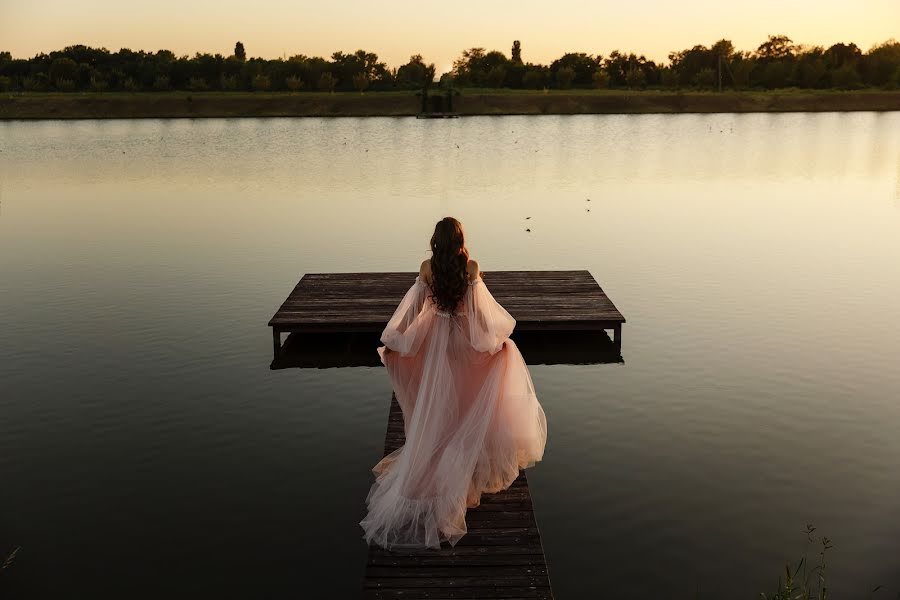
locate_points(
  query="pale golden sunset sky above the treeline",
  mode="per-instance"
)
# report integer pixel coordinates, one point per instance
(439, 31)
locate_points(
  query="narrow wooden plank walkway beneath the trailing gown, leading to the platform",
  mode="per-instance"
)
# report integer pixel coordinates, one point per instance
(500, 557)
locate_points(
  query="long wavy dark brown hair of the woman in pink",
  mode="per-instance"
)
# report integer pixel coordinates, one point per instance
(449, 259)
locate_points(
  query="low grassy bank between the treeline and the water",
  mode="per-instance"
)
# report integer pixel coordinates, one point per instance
(470, 102)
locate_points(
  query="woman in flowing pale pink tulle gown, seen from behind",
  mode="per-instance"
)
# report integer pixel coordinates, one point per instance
(471, 416)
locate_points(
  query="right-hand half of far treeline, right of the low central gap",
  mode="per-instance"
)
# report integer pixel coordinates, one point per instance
(777, 63)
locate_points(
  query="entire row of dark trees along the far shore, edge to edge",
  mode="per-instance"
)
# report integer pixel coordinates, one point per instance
(776, 63)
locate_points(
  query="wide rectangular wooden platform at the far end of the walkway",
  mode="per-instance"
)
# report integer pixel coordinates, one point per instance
(363, 302)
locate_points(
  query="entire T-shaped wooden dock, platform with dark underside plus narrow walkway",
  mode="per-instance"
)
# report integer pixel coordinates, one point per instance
(335, 320)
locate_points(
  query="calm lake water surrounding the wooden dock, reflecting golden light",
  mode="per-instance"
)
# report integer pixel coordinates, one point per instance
(146, 450)
